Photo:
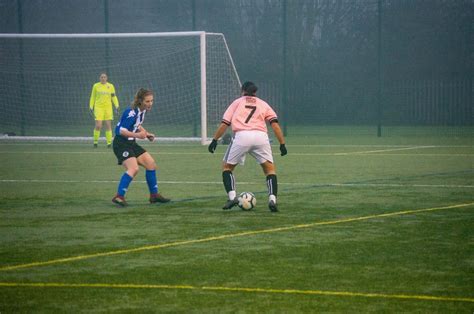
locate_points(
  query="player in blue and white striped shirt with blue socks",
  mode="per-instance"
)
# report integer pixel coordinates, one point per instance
(130, 154)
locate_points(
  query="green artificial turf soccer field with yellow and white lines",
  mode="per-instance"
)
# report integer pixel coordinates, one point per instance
(366, 224)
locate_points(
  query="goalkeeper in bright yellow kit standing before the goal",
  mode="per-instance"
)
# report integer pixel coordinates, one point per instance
(102, 97)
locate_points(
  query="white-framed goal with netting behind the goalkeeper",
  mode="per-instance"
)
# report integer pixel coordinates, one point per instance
(46, 81)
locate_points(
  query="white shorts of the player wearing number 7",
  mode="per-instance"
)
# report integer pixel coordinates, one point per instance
(256, 143)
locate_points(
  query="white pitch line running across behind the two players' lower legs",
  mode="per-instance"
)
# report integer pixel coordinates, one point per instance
(251, 183)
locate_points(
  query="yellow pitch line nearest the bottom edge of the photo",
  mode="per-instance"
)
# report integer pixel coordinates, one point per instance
(238, 289)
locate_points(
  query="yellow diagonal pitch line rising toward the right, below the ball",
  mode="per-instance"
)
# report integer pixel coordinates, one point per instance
(226, 236)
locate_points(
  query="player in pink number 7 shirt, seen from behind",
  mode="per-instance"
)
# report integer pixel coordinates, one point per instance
(248, 116)
